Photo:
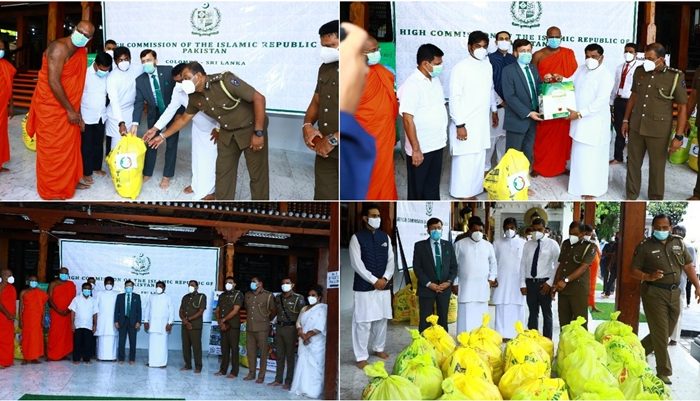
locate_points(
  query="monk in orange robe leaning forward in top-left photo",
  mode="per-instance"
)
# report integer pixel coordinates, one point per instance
(54, 115)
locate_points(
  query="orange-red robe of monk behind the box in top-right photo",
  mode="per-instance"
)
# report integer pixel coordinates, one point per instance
(552, 140)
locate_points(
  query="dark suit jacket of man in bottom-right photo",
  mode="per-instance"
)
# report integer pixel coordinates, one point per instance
(424, 266)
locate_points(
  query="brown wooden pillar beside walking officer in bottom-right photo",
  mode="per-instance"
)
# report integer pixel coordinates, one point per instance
(633, 219)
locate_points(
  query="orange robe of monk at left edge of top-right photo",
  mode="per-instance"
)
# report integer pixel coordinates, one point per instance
(377, 113)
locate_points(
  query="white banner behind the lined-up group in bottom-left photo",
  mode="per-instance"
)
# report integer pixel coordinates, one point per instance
(144, 265)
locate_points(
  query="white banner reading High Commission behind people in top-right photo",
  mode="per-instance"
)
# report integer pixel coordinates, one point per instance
(448, 24)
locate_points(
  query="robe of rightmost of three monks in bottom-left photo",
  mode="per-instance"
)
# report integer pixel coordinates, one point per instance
(60, 341)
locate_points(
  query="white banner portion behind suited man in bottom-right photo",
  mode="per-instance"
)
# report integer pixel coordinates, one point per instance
(411, 219)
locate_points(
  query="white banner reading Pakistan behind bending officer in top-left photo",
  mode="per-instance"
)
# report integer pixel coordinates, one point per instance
(274, 46)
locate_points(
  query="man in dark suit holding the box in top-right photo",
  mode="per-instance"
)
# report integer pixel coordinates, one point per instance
(520, 84)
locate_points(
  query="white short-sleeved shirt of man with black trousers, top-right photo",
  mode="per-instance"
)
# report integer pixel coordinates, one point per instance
(424, 99)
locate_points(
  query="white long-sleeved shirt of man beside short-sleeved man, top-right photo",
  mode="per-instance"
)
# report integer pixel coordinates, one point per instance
(471, 100)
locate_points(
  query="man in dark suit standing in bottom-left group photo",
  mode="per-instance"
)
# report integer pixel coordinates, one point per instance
(127, 319)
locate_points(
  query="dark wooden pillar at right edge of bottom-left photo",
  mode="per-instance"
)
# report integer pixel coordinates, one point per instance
(330, 386)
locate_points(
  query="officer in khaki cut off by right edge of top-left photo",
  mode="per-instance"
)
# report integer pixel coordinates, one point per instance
(324, 110)
